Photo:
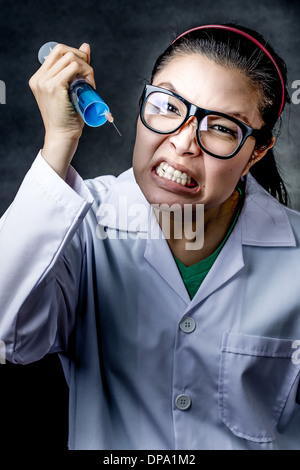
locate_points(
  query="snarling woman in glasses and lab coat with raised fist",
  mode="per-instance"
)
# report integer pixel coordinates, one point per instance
(164, 346)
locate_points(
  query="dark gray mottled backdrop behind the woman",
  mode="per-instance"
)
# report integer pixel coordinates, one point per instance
(125, 37)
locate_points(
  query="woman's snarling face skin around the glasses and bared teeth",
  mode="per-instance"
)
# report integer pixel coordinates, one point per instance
(207, 85)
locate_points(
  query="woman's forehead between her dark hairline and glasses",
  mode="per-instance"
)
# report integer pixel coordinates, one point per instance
(210, 85)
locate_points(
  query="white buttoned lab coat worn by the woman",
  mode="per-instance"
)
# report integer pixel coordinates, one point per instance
(112, 308)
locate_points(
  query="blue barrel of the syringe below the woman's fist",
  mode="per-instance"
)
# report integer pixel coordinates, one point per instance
(88, 103)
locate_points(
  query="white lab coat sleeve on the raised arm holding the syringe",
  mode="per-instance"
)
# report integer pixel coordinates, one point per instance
(41, 257)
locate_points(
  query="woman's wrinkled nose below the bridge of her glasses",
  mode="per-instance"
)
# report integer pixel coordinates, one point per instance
(185, 139)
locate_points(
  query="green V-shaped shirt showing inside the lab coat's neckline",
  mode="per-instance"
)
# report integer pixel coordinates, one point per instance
(194, 275)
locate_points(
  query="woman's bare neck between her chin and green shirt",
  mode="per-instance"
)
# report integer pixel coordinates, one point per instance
(195, 236)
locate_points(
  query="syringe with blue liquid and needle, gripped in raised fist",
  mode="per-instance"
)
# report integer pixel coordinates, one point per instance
(93, 110)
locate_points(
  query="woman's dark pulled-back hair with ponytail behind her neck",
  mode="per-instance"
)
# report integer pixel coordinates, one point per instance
(230, 49)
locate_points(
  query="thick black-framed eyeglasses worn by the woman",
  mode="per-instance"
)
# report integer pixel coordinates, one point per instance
(218, 134)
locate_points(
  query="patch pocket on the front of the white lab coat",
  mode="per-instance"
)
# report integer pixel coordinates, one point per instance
(257, 375)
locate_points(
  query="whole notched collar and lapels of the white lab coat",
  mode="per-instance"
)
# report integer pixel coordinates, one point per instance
(262, 222)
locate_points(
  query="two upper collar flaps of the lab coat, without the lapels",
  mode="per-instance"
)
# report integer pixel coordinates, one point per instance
(263, 221)
